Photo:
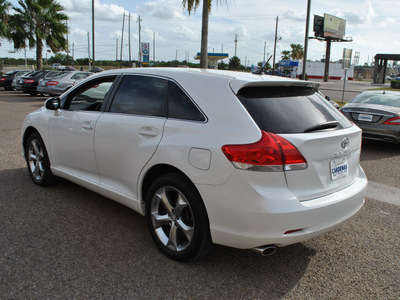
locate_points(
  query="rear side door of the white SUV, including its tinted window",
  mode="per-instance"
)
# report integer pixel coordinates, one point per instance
(128, 134)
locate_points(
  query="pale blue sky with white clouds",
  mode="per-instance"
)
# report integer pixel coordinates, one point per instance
(373, 25)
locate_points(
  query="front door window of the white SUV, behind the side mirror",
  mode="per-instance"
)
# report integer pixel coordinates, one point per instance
(91, 96)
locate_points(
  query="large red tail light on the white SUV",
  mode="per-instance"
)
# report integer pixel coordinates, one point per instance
(271, 153)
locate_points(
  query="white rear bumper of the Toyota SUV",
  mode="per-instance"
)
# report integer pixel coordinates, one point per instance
(252, 216)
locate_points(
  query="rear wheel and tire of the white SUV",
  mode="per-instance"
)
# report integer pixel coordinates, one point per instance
(177, 218)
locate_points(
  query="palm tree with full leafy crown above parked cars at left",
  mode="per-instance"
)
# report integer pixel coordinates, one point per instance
(38, 21)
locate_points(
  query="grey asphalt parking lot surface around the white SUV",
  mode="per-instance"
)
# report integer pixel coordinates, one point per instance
(66, 242)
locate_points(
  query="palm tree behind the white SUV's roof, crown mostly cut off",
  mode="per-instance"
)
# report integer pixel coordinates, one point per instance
(191, 6)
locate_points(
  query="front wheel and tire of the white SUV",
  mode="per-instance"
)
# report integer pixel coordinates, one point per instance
(38, 161)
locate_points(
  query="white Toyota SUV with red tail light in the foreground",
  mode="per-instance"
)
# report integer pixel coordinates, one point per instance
(208, 156)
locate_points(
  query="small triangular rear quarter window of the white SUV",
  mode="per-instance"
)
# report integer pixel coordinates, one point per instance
(180, 106)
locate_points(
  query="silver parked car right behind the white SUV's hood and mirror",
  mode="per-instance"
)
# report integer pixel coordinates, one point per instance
(63, 81)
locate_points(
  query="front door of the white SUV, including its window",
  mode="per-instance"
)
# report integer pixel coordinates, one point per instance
(71, 130)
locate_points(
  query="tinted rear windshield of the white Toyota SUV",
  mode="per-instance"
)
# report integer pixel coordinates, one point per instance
(289, 109)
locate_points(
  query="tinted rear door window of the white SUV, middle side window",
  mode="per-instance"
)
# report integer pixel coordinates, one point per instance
(141, 95)
